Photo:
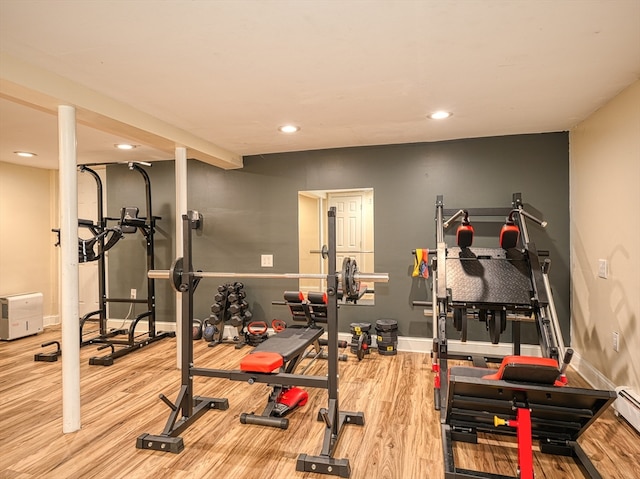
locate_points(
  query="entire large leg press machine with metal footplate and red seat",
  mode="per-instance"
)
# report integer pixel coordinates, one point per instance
(526, 396)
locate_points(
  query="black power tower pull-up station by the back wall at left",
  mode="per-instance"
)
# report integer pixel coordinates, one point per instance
(107, 338)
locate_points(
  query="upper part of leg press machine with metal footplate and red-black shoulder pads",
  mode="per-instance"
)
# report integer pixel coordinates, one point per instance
(492, 282)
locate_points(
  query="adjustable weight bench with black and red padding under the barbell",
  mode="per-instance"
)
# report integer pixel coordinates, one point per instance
(282, 353)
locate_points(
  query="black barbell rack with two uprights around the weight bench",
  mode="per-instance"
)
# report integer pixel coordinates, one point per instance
(188, 407)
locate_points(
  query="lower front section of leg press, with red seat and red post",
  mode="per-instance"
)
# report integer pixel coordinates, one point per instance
(525, 398)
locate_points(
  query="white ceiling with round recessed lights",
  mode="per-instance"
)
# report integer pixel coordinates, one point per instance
(349, 72)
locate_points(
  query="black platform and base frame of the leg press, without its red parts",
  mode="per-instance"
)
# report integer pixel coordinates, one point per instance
(559, 415)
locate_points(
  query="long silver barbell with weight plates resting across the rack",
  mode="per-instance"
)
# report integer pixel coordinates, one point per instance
(350, 277)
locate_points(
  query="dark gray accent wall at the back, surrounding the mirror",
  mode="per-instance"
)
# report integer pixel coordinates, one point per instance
(253, 211)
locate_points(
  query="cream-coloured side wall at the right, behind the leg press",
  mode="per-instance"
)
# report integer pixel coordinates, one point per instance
(605, 224)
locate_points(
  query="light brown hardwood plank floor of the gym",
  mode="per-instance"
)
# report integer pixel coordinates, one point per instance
(400, 439)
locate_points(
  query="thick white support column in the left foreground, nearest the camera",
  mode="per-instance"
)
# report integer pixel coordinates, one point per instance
(67, 174)
